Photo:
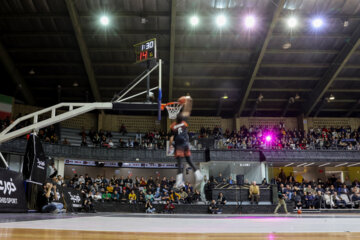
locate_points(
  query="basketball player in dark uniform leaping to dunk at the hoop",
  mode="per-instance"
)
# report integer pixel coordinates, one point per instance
(180, 139)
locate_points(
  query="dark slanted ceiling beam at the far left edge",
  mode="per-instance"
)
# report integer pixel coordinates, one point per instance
(15, 75)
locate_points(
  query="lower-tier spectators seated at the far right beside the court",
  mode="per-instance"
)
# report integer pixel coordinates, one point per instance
(317, 194)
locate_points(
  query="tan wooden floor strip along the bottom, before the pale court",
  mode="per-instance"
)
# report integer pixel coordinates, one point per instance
(42, 234)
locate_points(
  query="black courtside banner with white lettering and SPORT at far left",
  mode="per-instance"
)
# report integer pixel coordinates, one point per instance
(12, 194)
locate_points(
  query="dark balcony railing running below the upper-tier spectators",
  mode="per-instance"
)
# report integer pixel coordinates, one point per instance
(56, 150)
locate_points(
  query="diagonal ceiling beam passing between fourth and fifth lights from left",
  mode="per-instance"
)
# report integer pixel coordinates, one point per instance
(245, 91)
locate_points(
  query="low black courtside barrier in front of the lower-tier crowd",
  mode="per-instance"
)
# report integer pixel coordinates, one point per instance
(190, 208)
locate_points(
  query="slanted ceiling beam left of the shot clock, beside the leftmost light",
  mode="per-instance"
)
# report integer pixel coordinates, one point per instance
(83, 49)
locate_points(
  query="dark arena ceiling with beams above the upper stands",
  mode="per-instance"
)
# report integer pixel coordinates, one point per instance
(47, 47)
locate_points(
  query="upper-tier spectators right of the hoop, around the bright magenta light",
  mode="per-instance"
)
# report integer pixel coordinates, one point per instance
(277, 137)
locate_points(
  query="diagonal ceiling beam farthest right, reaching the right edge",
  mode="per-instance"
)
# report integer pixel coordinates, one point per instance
(336, 67)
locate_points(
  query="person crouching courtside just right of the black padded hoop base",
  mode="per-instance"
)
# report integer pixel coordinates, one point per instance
(48, 199)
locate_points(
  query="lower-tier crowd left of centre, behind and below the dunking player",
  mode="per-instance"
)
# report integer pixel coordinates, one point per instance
(134, 191)
